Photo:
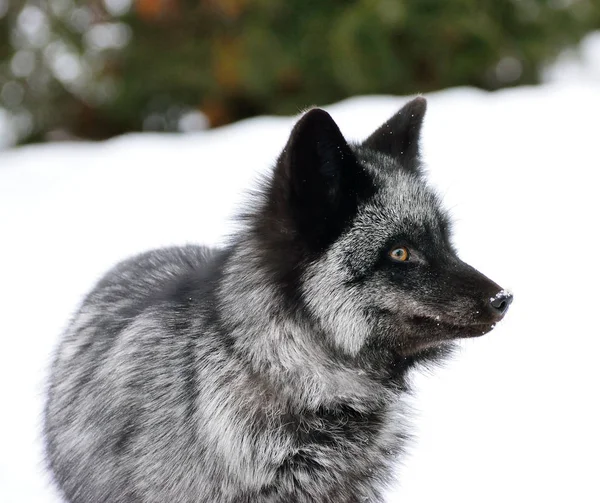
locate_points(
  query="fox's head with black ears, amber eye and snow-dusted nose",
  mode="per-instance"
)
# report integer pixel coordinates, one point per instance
(361, 245)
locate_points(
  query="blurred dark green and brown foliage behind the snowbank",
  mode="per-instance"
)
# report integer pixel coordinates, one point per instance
(93, 69)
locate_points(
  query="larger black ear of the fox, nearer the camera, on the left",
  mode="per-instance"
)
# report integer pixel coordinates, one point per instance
(321, 178)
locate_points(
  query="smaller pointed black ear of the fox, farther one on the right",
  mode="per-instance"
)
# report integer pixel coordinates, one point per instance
(399, 136)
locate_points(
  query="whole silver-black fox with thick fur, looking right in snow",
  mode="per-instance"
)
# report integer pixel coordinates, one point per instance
(272, 369)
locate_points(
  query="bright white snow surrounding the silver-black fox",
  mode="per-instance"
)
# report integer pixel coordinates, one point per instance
(514, 417)
